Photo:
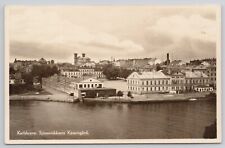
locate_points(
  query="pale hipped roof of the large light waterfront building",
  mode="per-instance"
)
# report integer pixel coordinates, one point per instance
(148, 75)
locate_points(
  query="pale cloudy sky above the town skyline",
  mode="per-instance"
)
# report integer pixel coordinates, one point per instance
(121, 32)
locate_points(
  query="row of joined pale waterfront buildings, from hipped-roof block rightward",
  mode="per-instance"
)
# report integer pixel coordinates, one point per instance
(157, 81)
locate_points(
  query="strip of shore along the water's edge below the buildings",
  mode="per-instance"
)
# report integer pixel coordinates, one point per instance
(58, 96)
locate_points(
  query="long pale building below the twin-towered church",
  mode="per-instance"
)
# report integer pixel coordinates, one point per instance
(82, 72)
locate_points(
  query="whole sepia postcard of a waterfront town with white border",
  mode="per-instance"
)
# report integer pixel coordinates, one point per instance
(112, 74)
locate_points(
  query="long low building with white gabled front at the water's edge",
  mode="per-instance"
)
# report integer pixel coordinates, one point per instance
(78, 87)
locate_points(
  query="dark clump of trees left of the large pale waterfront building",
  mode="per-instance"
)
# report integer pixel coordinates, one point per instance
(112, 72)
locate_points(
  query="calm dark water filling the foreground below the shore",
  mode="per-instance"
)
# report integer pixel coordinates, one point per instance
(112, 121)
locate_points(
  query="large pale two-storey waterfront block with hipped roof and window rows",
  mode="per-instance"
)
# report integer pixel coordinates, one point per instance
(148, 82)
